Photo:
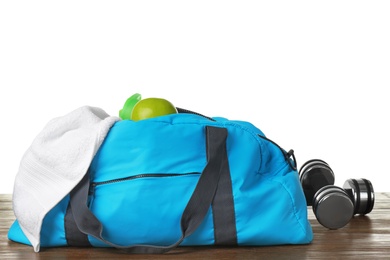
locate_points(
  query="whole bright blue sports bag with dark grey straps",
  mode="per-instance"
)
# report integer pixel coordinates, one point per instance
(181, 179)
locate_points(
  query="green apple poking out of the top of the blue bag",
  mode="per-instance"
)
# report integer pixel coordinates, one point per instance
(152, 107)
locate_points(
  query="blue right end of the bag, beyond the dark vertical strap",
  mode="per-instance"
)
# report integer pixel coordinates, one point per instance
(269, 202)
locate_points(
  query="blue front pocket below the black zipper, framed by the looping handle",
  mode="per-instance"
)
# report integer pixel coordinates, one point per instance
(142, 209)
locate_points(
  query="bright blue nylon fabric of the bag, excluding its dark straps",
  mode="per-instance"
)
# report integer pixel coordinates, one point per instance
(268, 201)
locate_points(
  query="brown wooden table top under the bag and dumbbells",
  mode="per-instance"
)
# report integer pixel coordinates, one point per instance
(365, 237)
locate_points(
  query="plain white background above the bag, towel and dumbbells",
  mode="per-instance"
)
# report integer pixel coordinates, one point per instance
(313, 75)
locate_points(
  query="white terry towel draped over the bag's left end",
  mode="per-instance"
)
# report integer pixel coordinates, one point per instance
(55, 162)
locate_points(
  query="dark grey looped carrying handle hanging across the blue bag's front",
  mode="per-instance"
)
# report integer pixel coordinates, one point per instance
(193, 214)
